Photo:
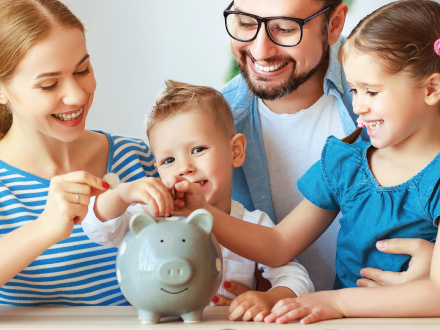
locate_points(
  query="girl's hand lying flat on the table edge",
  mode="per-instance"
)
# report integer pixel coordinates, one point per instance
(309, 308)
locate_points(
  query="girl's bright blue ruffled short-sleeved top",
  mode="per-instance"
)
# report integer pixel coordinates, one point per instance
(342, 180)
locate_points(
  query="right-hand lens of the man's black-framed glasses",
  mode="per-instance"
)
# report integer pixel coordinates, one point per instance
(285, 32)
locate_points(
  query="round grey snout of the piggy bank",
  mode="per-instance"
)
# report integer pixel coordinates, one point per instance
(175, 271)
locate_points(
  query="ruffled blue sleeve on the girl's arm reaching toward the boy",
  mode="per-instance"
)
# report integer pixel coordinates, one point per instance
(339, 170)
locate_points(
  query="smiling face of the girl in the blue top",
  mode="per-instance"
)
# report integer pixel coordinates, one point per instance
(391, 106)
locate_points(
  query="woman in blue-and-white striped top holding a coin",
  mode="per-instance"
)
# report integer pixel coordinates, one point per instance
(50, 165)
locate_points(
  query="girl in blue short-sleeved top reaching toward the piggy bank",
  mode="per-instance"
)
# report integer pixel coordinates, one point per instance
(388, 188)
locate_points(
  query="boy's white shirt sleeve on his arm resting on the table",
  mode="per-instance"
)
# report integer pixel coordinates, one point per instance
(292, 275)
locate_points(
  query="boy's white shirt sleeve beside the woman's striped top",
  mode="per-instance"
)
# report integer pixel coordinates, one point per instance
(110, 232)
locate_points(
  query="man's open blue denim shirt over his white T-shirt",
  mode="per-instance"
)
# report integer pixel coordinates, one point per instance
(251, 181)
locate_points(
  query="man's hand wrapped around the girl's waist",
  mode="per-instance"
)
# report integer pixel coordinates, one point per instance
(420, 251)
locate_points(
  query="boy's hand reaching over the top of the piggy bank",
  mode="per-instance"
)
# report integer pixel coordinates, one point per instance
(150, 191)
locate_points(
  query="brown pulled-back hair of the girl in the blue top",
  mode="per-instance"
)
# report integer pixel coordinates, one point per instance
(402, 36)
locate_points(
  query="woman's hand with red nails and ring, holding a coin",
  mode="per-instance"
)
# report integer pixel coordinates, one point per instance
(67, 202)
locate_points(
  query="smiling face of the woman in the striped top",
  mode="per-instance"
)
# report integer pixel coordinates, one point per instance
(52, 88)
